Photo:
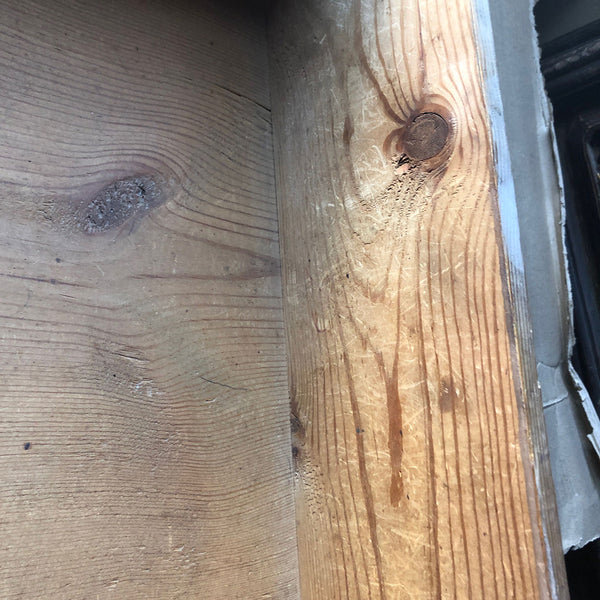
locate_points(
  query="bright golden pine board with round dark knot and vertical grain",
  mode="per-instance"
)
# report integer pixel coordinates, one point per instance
(413, 469)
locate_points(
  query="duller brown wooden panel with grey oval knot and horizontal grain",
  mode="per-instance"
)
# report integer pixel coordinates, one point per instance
(144, 421)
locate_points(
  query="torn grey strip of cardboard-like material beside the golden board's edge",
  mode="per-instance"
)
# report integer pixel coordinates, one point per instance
(538, 190)
